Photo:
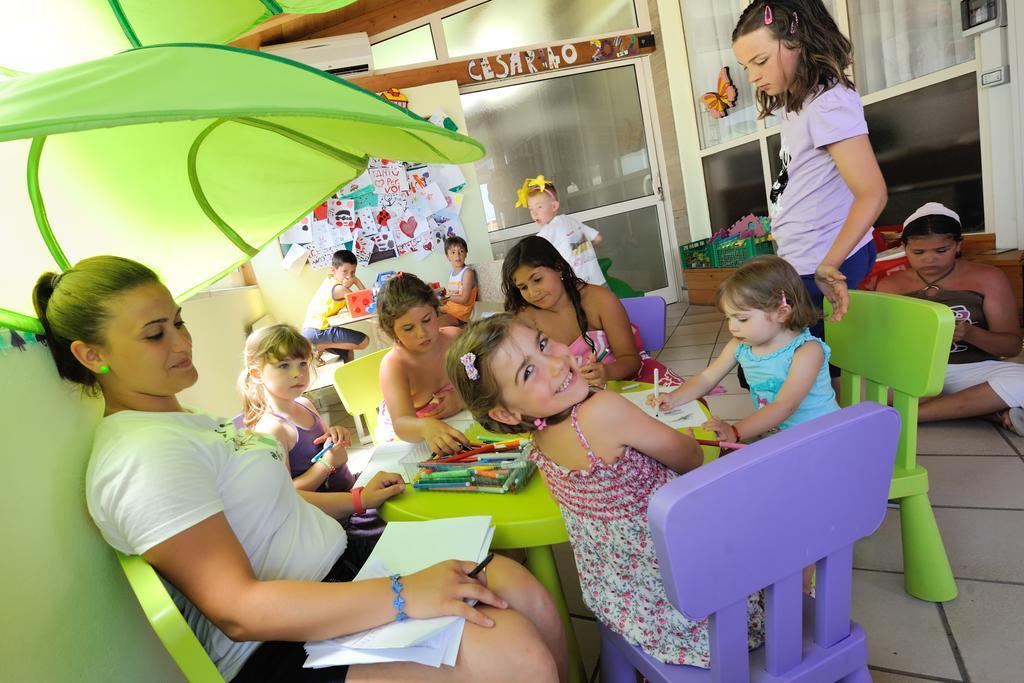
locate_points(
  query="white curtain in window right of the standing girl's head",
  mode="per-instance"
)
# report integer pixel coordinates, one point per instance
(900, 40)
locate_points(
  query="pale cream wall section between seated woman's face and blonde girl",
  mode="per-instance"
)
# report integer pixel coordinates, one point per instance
(219, 320)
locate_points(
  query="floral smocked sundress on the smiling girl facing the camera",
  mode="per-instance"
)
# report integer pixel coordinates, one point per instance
(606, 513)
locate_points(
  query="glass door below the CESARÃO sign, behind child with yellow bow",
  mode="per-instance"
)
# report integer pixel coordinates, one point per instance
(589, 132)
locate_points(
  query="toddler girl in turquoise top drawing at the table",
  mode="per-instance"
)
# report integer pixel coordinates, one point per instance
(770, 313)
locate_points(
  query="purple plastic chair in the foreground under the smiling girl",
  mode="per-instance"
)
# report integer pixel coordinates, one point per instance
(753, 521)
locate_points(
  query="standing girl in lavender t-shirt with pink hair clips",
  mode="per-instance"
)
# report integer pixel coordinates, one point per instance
(830, 190)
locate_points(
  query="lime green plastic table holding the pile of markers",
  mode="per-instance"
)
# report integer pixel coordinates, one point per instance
(530, 520)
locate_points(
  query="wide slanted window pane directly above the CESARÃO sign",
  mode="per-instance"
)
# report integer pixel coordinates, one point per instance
(499, 25)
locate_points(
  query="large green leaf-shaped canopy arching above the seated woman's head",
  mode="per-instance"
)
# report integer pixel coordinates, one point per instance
(188, 158)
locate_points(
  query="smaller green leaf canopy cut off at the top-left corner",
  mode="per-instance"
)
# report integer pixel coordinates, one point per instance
(37, 35)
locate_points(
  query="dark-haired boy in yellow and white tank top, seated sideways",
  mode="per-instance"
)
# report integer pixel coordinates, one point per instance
(328, 302)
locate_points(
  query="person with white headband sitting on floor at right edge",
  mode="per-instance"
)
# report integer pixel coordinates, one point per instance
(978, 382)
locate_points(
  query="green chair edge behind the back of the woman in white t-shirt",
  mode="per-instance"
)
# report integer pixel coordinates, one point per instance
(167, 621)
